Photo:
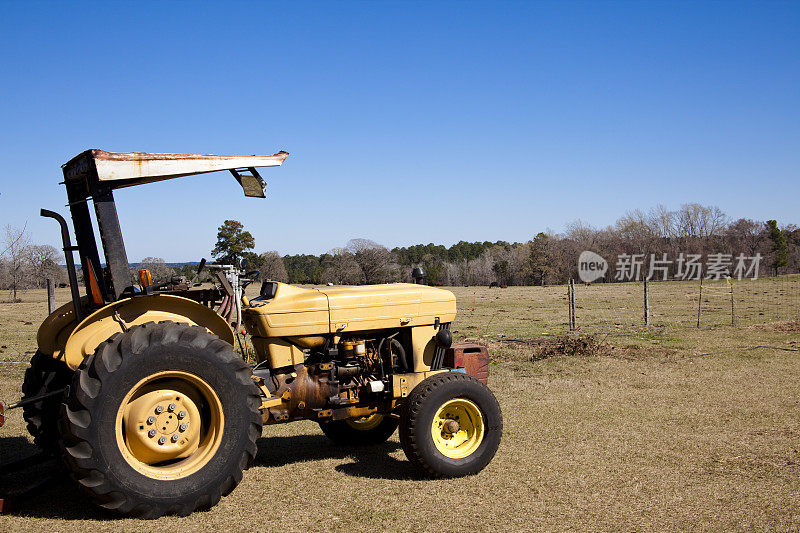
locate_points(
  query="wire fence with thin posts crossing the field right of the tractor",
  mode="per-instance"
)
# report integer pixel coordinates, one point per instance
(626, 307)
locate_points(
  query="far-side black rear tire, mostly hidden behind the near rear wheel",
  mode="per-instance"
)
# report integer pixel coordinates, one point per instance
(44, 375)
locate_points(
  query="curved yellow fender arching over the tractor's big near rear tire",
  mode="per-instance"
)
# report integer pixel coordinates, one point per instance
(122, 314)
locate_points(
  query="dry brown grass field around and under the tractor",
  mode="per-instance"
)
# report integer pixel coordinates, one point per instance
(658, 428)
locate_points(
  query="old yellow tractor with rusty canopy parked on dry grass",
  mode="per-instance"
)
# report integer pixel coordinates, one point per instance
(139, 389)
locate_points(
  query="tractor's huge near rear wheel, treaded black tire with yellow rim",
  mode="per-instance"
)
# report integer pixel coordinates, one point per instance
(162, 420)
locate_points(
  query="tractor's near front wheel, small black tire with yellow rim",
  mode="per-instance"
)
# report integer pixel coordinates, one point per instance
(450, 425)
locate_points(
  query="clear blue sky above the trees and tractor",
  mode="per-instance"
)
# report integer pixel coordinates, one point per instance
(406, 122)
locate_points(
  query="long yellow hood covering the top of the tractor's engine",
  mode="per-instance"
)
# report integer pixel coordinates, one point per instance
(297, 311)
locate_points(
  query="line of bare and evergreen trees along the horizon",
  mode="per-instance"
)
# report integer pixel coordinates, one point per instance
(547, 258)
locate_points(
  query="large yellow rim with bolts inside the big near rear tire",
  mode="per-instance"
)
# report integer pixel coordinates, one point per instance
(169, 425)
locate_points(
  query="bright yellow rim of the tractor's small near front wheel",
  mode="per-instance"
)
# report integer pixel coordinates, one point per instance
(457, 428)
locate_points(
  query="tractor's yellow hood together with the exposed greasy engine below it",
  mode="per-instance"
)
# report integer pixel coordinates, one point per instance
(333, 352)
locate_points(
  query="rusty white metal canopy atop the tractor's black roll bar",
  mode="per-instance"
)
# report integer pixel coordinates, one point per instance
(126, 169)
